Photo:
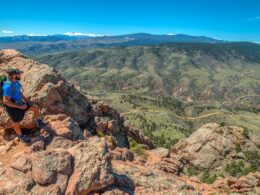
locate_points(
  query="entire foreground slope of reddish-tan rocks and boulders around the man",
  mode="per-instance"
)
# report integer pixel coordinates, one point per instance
(76, 161)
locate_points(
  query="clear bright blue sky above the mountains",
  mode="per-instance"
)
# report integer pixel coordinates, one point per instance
(237, 20)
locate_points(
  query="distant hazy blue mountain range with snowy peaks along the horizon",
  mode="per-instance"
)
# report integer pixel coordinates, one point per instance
(38, 45)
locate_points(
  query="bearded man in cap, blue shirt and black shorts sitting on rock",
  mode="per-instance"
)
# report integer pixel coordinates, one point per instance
(16, 104)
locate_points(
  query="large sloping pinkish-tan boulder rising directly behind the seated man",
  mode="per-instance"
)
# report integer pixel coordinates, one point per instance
(47, 88)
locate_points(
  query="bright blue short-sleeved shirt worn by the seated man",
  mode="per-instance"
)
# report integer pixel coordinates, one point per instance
(13, 92)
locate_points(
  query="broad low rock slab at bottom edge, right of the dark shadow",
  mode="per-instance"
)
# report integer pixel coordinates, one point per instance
(138, 178)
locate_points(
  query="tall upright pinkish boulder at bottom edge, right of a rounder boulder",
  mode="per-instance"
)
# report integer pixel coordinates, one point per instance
(92, 168)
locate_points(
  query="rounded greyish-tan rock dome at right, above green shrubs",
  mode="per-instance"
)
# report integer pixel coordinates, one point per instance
(212, 145)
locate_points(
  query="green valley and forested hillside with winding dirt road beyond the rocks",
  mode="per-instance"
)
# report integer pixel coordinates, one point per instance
(170, 90)
